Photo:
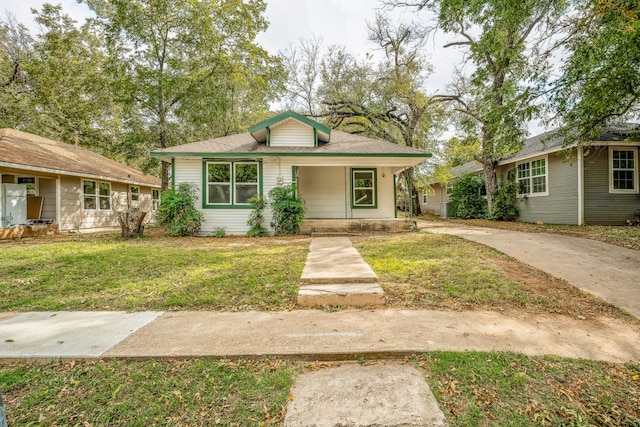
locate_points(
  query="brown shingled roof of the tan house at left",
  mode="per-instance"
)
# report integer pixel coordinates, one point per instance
(32, 152)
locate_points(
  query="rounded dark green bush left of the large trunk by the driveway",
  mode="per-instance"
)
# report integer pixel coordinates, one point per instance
(465, 198)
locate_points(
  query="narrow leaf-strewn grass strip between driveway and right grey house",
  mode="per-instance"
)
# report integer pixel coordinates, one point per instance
(625, 236)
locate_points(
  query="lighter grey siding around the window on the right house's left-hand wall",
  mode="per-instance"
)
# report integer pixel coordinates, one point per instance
(561, 205)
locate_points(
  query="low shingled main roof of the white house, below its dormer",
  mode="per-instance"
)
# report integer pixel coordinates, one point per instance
(244, 144)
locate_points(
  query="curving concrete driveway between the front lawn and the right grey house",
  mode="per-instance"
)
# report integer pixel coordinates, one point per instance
(607, 271)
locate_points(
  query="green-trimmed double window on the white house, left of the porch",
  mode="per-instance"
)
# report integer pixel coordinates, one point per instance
(231, 183)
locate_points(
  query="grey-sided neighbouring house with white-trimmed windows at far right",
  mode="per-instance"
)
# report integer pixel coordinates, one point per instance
(597, 184)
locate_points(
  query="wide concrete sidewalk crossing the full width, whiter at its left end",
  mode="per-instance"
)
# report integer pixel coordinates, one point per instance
(309, 335)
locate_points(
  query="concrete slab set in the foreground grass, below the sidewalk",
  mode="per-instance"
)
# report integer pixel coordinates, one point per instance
(363, 396)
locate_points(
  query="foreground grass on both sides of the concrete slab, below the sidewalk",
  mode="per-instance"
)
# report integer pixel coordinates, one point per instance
(473, 389)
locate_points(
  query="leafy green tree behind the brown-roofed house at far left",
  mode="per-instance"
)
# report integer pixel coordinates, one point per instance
(54, 83)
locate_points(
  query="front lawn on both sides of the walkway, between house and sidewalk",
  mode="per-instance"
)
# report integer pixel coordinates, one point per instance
(417, 270)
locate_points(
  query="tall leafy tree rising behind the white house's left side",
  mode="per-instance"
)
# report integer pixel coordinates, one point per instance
(181, 66)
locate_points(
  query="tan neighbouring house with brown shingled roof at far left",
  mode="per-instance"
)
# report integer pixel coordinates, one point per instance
(67, 185)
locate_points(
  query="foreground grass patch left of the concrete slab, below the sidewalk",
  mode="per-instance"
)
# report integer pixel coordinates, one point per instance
(174, 393)
